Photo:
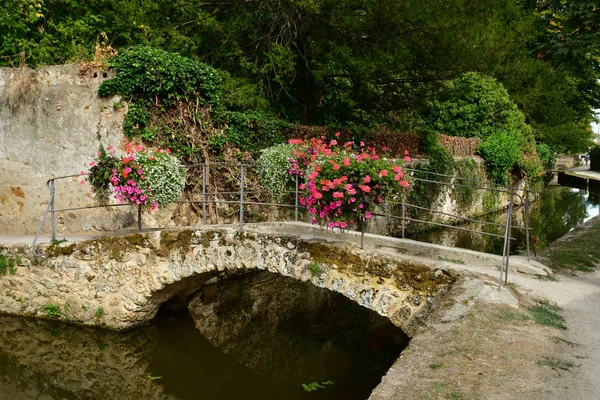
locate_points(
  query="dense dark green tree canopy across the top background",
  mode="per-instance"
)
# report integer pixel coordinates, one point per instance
(353, 63)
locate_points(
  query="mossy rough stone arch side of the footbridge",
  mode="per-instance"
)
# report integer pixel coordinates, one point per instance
(119, 282)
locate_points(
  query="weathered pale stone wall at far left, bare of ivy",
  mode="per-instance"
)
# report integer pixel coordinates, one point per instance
(51, 124)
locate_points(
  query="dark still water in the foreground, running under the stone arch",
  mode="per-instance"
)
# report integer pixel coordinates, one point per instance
(259, 337)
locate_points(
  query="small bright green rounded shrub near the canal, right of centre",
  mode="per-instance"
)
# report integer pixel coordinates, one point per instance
(500, 153)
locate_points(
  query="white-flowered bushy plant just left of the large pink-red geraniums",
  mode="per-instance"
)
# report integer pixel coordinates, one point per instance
(273, 170)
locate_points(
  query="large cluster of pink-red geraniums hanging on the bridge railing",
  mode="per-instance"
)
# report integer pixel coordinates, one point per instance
(343, 183)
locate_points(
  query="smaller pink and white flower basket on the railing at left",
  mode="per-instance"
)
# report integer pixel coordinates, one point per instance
(144, 177)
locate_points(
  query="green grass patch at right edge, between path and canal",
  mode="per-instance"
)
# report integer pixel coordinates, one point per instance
(580, 253)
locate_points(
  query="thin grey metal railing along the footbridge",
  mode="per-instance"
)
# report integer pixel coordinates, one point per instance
(219, 197)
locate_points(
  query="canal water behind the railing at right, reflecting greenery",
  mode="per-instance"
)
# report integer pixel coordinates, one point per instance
(557, 211)
